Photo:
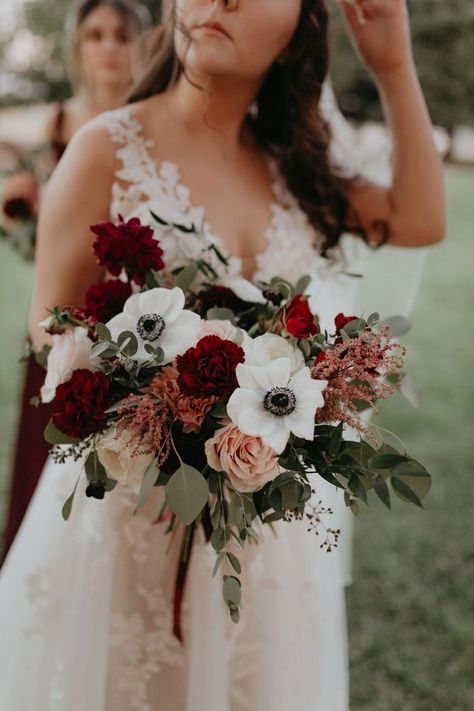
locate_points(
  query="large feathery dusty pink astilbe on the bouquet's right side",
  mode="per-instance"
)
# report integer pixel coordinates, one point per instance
(356, 370)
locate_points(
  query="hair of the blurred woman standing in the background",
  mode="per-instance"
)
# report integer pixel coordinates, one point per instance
(134, 15)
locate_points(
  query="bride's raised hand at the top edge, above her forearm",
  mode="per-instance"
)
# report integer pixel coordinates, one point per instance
(380, 32)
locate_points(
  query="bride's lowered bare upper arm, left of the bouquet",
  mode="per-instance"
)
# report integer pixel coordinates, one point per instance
(77, 196)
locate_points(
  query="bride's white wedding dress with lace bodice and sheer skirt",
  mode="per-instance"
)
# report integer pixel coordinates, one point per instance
(85, 605)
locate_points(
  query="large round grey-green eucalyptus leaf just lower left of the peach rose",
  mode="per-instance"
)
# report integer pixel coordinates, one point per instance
(187, 493)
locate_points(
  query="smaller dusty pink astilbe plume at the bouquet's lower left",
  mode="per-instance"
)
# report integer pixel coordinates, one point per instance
(147, 422)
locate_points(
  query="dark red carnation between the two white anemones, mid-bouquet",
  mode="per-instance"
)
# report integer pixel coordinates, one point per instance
(209, 368)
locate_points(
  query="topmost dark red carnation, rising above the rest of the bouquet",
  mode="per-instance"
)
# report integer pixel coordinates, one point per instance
(127, 245)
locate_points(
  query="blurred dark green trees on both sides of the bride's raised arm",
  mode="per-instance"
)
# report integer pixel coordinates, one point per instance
(443, 42)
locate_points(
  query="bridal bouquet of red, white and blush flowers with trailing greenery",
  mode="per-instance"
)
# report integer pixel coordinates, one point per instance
(225, 393)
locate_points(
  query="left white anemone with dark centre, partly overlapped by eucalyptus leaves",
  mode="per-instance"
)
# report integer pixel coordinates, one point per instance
(157, 317)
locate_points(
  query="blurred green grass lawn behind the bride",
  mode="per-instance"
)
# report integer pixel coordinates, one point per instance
(411, 608)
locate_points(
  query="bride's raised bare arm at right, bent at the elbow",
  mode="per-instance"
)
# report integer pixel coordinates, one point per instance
(414, 206)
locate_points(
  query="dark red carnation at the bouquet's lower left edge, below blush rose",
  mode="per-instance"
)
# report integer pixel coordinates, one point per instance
(80, 404)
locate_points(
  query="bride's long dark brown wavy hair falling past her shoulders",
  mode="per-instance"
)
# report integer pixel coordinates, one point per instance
(287, 121)
